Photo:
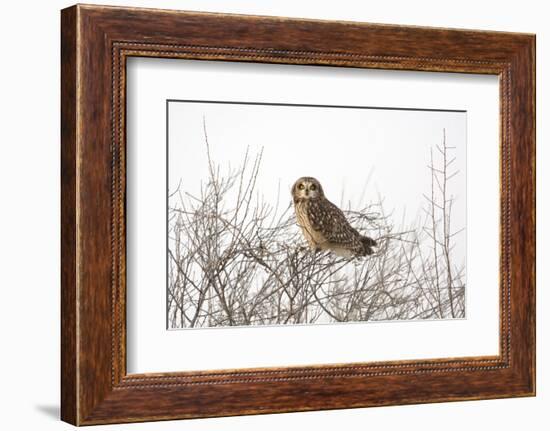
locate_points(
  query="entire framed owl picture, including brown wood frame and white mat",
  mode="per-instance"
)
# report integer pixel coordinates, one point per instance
(265, 214)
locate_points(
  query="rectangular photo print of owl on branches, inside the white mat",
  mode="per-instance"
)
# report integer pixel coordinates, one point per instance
(281, 214)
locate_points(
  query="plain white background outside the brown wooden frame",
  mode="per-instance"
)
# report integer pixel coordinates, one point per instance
(29, 218)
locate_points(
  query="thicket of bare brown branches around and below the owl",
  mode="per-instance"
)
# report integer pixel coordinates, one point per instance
(234, 259)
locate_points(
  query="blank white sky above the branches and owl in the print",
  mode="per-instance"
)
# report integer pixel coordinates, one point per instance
(341, 147)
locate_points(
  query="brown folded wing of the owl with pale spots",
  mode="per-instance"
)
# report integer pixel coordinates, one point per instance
(330, 221)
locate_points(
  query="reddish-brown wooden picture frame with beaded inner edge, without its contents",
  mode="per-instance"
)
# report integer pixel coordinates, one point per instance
(95, 43)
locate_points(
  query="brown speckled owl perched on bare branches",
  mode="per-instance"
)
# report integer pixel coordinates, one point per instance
(323, 224)
